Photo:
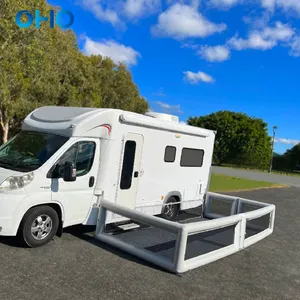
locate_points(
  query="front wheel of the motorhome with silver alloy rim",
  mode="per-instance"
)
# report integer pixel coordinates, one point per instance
(39, 226)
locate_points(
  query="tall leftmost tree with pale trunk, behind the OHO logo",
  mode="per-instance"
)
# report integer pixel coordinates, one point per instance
(21, 52)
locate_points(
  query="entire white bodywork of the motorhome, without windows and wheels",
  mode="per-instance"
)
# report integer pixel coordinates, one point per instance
(156, 180)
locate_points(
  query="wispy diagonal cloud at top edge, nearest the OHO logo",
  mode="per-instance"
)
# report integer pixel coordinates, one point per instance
(102, 14)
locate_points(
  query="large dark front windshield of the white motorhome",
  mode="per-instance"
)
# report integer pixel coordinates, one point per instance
(27, 151)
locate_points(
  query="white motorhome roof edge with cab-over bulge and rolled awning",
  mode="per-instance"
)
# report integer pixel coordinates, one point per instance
(77, 121)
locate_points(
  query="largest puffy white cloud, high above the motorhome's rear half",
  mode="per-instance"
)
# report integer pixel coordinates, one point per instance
(182, 21)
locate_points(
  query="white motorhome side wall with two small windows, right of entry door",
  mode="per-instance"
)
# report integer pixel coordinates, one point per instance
(160, 179)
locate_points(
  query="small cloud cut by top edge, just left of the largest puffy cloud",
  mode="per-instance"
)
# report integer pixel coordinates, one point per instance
(138, 8)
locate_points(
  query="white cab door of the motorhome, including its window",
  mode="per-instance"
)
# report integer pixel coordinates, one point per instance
(77, 197)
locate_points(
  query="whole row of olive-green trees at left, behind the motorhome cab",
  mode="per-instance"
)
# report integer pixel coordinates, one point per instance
(45, 67)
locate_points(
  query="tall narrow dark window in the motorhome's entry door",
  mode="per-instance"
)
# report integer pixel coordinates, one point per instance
(128, 164)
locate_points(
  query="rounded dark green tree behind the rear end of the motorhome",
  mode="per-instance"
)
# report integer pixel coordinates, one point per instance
(240, 139)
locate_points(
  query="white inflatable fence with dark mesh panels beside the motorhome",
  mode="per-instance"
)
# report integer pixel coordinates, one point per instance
(229, 224)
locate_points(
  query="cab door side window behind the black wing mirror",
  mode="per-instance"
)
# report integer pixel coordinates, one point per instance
(82, 154)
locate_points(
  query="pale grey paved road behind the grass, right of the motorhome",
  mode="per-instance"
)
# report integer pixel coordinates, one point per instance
(260, 176)
